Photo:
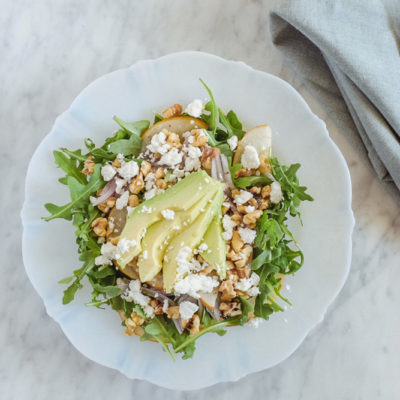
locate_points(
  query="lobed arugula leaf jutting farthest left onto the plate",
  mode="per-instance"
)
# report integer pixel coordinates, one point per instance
(80, 194)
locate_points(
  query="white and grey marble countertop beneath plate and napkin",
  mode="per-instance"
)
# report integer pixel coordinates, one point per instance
(52, 50)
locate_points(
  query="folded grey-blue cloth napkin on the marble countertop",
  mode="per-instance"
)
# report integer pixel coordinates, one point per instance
(348, 53)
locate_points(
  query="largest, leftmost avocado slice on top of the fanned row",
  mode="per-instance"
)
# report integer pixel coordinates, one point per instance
(181, 196)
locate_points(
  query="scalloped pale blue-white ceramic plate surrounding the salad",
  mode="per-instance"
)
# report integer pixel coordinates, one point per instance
(49, 249)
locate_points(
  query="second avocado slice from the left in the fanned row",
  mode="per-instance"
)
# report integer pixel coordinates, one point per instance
(162, 232)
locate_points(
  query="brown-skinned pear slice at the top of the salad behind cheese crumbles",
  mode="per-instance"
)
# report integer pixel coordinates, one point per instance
(178, 125)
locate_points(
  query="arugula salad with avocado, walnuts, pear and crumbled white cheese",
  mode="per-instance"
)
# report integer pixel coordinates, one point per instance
(181, 226)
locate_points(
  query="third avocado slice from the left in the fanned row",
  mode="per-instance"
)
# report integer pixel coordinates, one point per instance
(190, 237)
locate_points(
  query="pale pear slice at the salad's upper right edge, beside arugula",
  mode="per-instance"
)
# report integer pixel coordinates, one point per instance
(259, 137)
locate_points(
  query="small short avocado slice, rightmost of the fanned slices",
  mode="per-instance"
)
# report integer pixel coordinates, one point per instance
(215, 254)
